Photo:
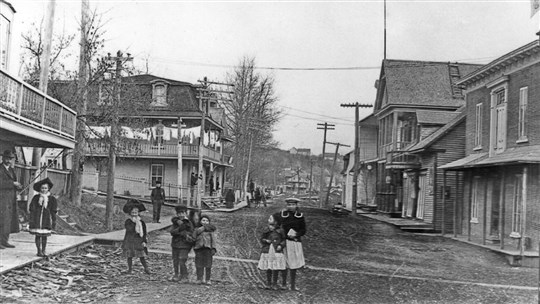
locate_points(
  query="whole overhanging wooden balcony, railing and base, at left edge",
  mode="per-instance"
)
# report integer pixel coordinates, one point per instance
(29, 117)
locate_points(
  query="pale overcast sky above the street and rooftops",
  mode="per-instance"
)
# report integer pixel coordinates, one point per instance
(188, 40)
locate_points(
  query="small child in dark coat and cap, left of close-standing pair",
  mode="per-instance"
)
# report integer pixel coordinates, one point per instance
(182, 241)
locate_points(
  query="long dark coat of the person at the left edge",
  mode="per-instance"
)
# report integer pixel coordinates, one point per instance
(9, 218)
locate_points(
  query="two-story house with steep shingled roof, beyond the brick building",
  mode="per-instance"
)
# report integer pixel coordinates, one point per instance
(414, 100)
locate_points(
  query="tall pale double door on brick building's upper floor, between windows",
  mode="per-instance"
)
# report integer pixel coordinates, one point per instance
(498, 119)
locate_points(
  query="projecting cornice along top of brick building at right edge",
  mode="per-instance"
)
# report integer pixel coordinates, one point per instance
(494, 66)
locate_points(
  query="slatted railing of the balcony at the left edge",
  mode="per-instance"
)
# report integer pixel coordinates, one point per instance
(22, 102)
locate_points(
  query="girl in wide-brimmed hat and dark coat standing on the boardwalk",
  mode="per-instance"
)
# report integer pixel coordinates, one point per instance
(42, 214)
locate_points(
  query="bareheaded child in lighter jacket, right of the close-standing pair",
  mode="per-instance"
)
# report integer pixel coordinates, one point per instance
(205, 248)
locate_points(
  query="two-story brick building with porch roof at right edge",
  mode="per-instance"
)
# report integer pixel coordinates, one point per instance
(501, 169)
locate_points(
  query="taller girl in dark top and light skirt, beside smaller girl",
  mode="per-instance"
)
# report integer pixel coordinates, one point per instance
(293, 223)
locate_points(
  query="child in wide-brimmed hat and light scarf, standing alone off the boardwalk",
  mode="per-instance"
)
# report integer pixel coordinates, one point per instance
(135, 239)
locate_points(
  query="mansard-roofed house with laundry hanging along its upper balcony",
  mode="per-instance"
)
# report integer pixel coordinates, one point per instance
(150, 152)
